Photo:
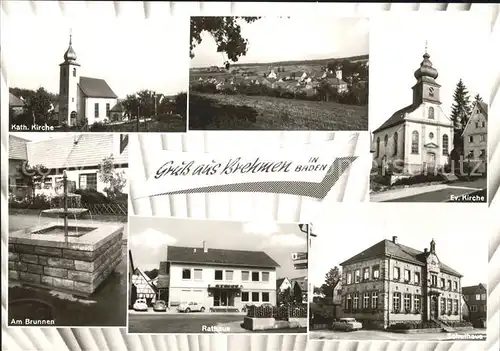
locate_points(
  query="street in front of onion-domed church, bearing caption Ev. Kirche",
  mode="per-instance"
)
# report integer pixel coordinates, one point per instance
(434, 193)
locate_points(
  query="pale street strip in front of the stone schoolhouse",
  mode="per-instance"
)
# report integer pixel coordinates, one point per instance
(476, 334)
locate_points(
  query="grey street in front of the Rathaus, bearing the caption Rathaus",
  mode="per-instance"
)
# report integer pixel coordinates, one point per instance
(160, 322)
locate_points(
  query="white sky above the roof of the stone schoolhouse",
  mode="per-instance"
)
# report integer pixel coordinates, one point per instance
(461, 242)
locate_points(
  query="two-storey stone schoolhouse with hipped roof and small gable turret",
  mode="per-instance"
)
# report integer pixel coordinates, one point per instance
(390, 283)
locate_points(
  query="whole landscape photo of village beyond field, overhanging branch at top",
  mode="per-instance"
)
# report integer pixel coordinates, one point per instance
(235, 83)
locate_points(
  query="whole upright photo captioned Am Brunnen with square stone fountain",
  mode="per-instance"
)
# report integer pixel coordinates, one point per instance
(68, 212)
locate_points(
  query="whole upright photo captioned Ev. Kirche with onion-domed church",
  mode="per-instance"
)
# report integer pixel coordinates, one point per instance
(429, 108)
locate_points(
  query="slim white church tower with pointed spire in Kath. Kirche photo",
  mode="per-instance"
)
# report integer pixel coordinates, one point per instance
(69, 76)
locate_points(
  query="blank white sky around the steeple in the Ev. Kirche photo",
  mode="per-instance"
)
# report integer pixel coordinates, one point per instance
(457, 46)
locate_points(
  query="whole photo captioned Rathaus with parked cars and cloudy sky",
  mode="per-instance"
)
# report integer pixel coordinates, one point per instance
(207, 276)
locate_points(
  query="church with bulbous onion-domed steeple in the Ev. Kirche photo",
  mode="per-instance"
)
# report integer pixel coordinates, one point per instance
(419, 136)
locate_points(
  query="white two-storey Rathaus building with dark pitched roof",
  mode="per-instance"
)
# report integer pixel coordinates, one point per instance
(219, 278)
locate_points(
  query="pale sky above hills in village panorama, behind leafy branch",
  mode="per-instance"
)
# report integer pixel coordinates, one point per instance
(273, 39)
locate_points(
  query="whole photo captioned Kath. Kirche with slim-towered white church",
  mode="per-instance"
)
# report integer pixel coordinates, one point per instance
(96, 75)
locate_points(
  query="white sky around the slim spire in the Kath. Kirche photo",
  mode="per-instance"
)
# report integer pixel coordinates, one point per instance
(129, 55)
